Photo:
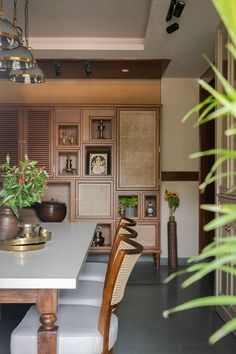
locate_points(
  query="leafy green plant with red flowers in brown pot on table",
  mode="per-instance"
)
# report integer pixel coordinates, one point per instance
(22, 186)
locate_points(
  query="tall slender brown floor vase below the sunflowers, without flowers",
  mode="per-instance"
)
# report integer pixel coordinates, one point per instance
(172, 242)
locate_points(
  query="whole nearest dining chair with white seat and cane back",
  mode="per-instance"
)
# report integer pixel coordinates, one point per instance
(84, 329)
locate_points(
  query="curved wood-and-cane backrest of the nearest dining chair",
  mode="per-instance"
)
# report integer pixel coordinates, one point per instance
(116, 280)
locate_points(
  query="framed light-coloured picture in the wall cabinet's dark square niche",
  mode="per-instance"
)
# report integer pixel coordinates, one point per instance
(98, 163)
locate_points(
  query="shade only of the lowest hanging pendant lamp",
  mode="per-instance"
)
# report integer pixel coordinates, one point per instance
(31, 76)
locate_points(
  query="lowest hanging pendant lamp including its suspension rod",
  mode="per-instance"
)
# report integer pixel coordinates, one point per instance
(30, 75)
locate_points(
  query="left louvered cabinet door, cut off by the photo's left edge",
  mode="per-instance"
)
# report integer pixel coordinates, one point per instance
(10, 134)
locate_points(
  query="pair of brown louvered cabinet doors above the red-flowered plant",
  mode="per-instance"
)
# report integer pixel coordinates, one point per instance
(26, 131)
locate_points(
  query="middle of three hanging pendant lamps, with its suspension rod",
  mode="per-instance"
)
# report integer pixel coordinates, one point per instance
(20, 58)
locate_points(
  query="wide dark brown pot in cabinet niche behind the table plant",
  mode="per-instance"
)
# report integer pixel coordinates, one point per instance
(51, 211)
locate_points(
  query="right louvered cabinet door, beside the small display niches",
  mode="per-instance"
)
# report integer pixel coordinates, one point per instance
(38, 136)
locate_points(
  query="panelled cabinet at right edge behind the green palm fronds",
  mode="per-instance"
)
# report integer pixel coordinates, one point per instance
(225, 283)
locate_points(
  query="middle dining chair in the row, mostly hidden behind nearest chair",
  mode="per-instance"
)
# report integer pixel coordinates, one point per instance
(90, 292)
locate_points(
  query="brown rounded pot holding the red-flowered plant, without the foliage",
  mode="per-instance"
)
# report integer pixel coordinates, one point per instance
(8, 223)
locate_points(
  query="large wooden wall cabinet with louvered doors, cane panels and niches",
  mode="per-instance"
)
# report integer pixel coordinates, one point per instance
(96, 156)
